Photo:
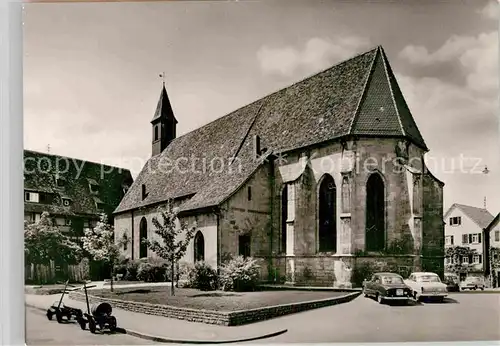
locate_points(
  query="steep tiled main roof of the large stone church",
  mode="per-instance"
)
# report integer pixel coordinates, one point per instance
(334, 103)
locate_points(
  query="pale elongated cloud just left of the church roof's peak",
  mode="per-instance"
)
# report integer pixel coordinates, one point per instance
(317, 54)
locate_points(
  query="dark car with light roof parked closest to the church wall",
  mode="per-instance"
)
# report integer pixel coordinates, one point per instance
(387, 287)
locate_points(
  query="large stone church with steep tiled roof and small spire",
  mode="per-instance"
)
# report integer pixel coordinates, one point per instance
(318, 181)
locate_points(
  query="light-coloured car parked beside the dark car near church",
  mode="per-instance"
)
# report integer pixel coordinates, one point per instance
(427, 285)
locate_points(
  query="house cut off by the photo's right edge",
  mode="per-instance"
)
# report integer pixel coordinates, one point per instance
(492, 255)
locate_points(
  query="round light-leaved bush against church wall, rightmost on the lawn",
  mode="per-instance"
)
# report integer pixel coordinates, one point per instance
(240, 274)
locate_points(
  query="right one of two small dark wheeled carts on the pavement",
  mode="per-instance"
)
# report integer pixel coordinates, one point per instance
(98, 317)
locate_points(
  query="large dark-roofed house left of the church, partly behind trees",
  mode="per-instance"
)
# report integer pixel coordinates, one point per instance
(75, 193)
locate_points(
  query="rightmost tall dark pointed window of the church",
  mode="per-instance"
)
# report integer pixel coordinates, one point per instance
(375, 213)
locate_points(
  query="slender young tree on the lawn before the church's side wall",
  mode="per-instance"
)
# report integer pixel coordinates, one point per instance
(171, 249)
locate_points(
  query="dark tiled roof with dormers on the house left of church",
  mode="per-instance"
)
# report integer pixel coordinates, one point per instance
(41, 170)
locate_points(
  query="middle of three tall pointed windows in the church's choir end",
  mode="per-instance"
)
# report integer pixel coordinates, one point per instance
(327, 215)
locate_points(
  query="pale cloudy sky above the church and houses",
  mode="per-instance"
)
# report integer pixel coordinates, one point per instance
(91, 72)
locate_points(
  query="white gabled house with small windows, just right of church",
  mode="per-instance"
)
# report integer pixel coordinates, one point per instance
(464, 227)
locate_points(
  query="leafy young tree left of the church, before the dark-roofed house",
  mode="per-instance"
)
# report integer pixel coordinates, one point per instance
(100, 243)
